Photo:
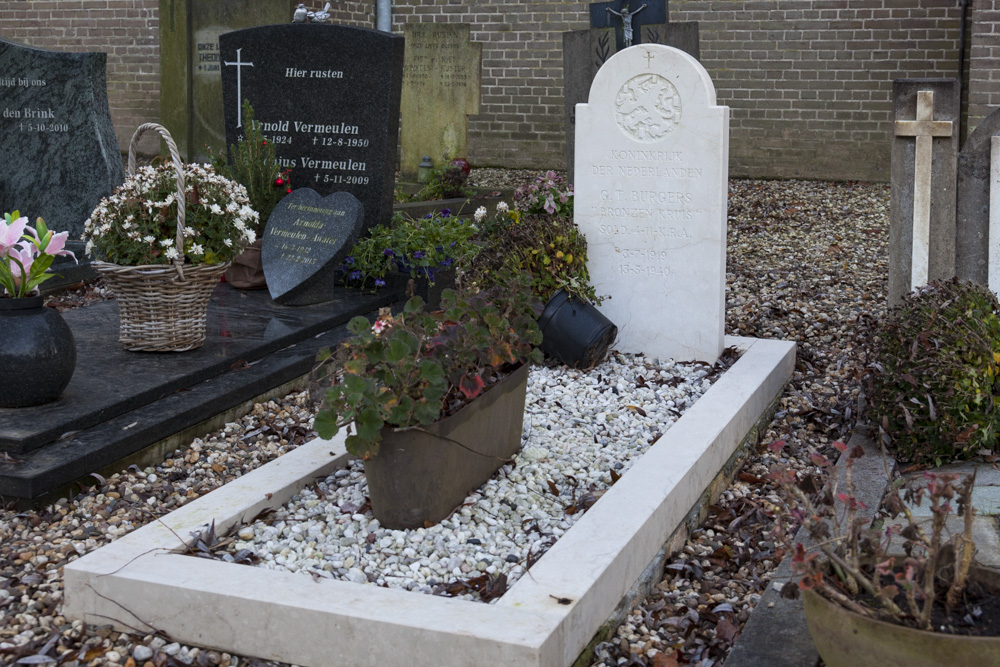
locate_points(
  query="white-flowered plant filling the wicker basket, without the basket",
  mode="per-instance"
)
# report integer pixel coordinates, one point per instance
(137, 224)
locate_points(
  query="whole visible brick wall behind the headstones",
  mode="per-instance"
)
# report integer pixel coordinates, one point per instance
(808, 81)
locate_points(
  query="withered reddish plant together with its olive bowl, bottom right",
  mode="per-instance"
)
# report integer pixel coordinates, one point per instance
(895, 590)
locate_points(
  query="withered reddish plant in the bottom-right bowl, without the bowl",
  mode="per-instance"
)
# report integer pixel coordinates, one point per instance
(893, 571)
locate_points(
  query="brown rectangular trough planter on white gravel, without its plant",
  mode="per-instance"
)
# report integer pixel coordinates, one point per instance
(421, 474)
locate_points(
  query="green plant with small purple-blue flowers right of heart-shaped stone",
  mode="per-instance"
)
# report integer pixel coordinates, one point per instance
(419, 247)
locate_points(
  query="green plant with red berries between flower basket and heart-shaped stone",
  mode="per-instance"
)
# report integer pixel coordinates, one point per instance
(255, 167)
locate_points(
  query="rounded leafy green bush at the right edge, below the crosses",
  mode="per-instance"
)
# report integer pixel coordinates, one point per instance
(936, 388)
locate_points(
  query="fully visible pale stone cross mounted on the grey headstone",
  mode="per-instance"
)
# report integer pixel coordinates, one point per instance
(924, 128)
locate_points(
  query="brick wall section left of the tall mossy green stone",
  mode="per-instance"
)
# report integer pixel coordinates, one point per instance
(127, 30)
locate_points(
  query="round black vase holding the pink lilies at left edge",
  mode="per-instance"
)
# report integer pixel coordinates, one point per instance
(37, 353)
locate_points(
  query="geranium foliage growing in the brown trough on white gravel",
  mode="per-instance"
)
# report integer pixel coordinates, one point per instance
(418, 367)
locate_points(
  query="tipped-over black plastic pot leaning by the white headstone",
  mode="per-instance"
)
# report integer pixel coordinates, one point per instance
(574, 331)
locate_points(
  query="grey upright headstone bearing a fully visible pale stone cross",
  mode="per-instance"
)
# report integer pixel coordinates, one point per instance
(941, 193)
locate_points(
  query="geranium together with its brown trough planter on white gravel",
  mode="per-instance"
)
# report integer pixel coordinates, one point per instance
(434, 400)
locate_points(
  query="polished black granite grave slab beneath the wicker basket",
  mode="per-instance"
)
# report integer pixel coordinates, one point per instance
(120, 402)
